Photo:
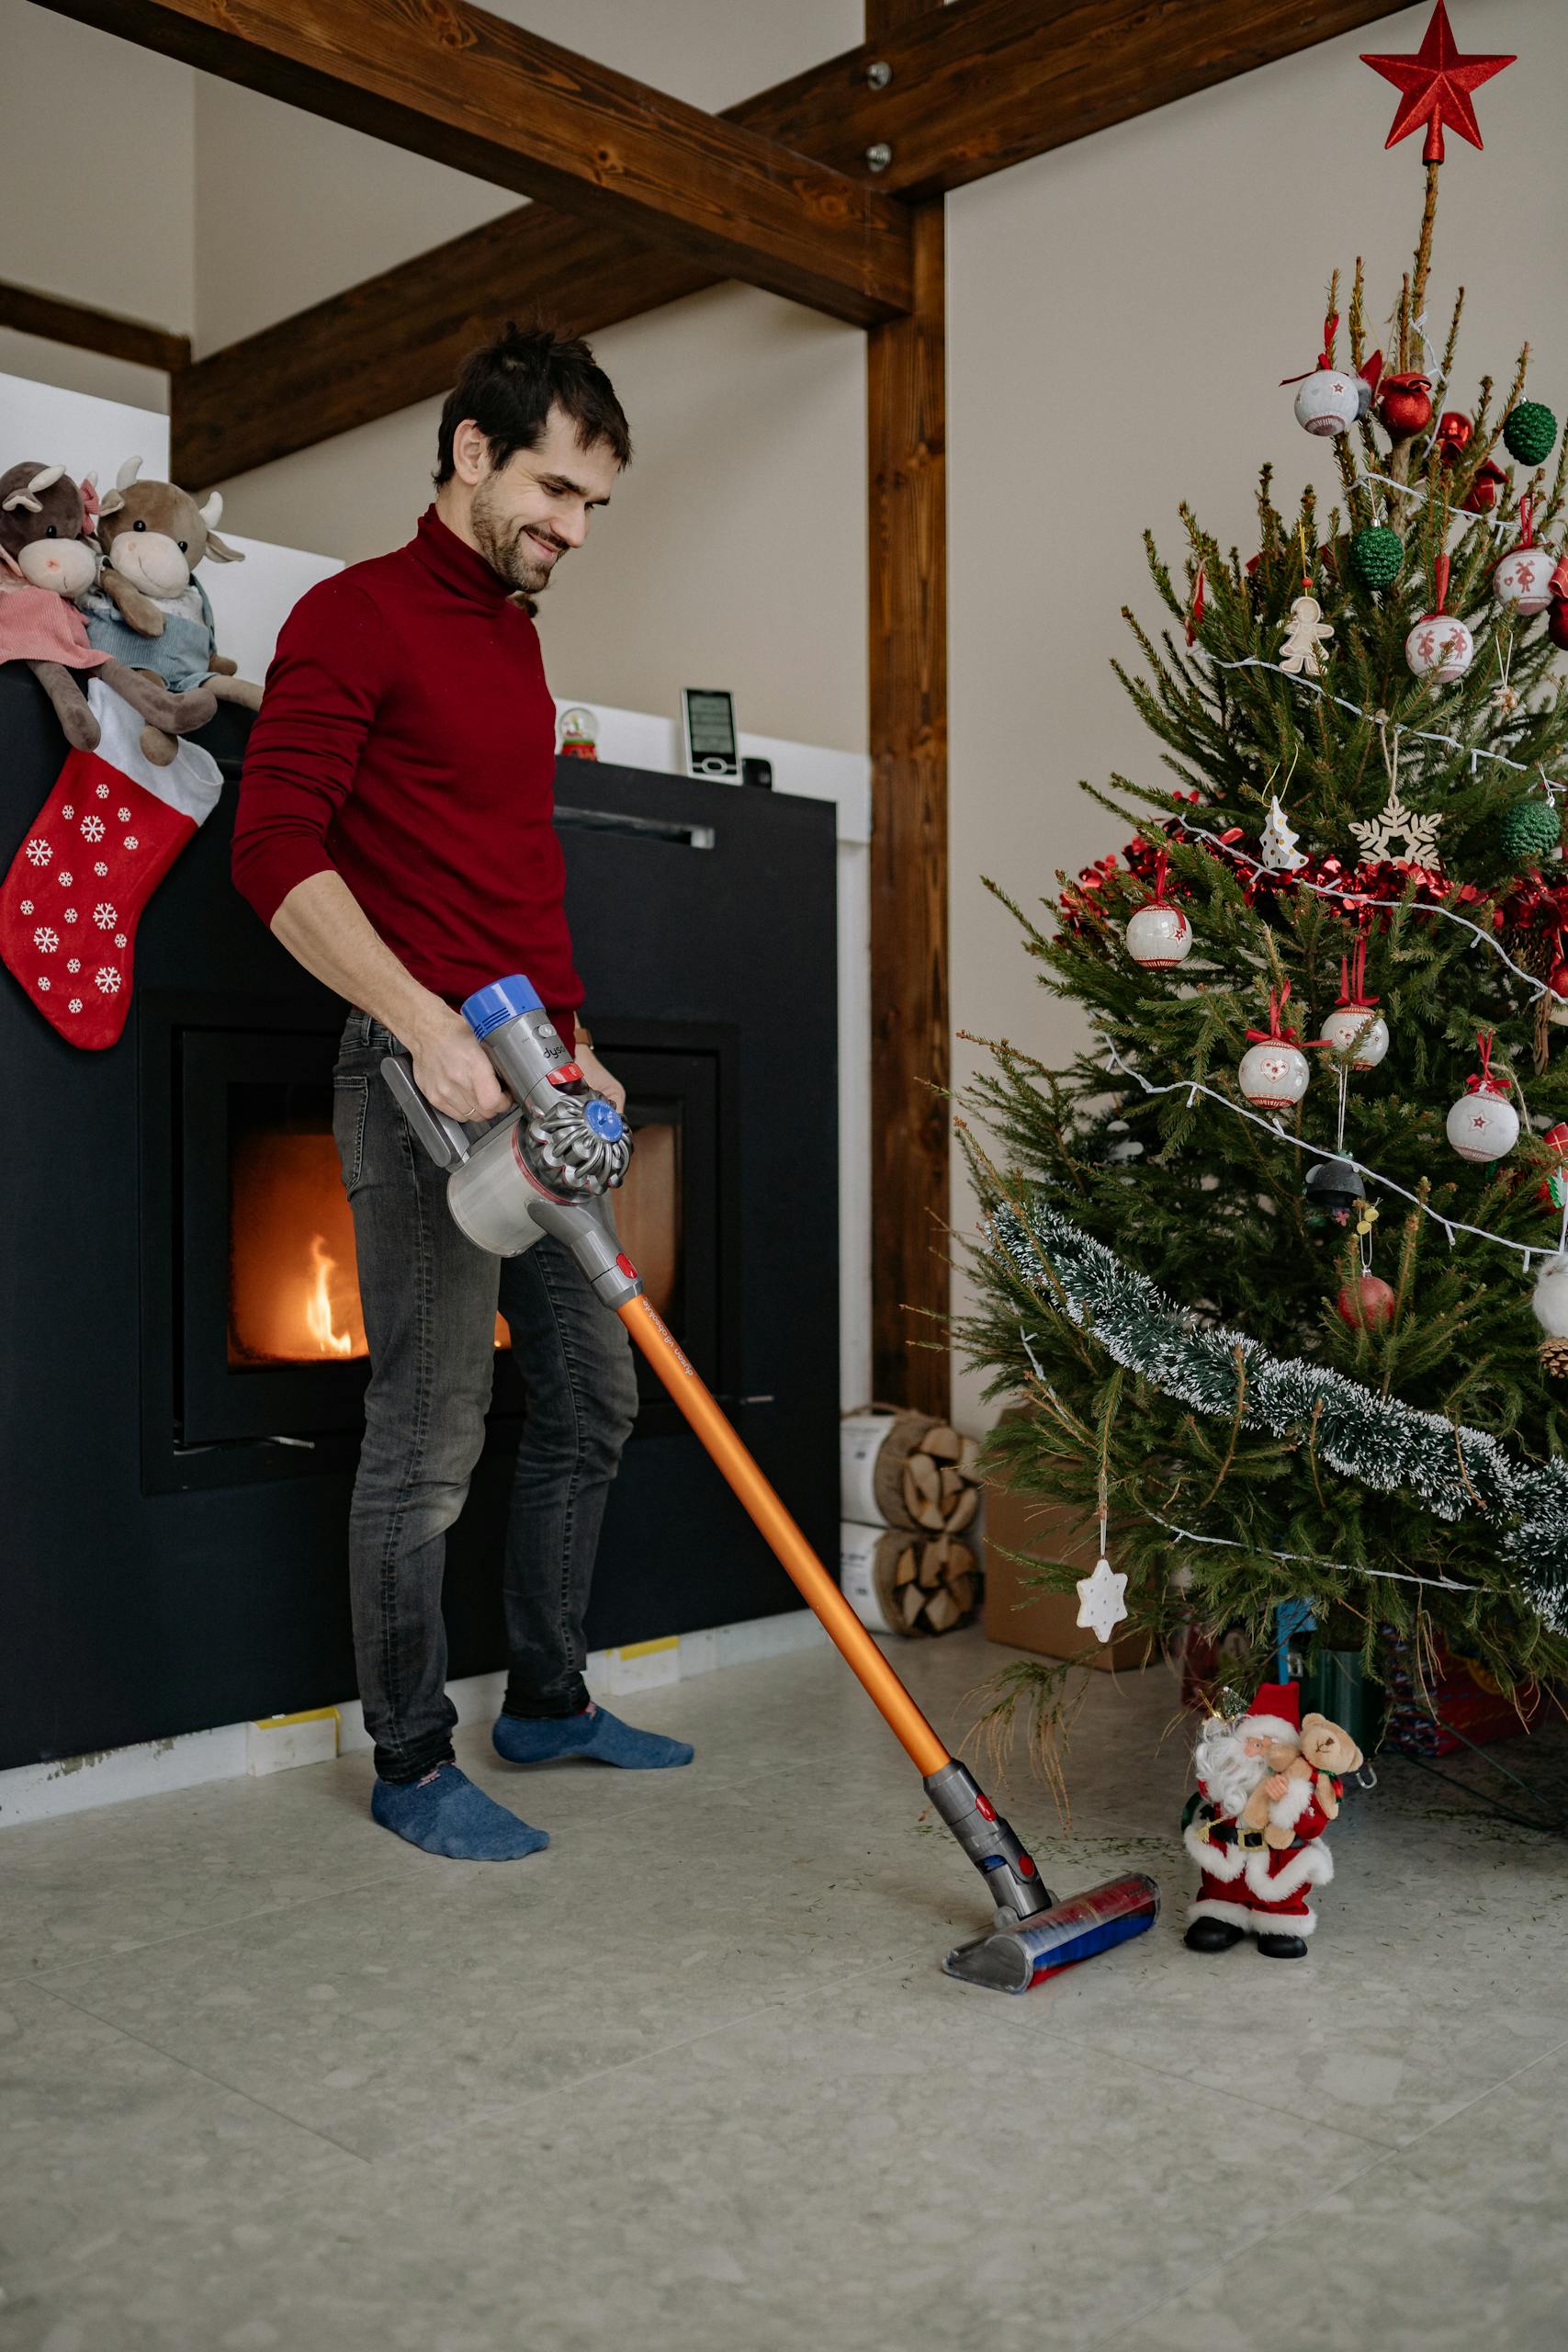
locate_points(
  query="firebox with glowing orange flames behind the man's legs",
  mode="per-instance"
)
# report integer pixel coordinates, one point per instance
(250, 1278)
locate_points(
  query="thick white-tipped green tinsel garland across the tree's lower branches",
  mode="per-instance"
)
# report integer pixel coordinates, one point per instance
(1449, 1469)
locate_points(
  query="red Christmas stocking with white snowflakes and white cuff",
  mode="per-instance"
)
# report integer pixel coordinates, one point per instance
(95, 855)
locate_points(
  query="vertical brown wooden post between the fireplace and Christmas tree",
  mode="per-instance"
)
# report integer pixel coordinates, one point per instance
(909, 737)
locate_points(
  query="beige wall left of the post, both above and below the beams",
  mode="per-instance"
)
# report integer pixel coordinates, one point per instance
(735, 549)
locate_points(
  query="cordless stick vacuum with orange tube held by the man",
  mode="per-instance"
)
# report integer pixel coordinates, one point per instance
(549, 1168)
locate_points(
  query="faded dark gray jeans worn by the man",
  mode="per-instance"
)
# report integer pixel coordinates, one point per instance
(431, 1314)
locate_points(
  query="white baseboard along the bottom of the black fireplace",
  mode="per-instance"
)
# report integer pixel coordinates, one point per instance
(281, 1742)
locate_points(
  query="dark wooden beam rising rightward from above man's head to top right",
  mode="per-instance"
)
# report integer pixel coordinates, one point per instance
(946, 114)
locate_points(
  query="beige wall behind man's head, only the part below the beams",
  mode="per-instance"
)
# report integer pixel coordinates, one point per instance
(732, 552)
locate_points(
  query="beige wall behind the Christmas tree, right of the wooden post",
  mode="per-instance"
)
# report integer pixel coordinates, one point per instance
(1123, 314)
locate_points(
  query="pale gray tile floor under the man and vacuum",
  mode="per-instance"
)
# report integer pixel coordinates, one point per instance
(695, 2083)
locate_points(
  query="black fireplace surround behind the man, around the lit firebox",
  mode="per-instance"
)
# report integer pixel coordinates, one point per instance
(175, 1502)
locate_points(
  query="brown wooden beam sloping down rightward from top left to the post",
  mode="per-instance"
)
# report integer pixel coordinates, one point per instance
(481, 95)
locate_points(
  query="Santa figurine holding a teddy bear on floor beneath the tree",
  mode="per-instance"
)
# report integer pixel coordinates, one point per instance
(1249, 1885)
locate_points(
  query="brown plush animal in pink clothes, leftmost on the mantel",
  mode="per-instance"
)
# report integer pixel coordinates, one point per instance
(46, 561)
